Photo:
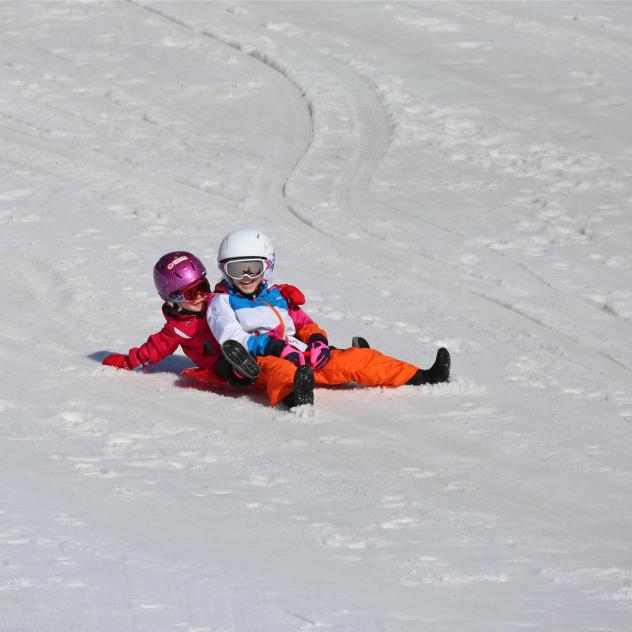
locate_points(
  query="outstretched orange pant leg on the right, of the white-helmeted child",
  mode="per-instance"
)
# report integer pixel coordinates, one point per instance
(368, 367)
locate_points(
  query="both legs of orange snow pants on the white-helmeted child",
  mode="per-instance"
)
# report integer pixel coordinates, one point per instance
(363, 366)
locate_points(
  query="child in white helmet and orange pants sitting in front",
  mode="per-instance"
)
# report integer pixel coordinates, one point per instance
(292, 351)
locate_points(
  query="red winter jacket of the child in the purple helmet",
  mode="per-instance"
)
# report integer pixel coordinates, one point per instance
(189, 331)
